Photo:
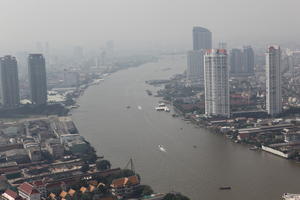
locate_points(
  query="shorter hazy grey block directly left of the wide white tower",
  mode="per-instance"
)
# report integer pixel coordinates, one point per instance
(195, 68)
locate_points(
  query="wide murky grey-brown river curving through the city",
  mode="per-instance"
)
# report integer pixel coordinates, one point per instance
(119, 134)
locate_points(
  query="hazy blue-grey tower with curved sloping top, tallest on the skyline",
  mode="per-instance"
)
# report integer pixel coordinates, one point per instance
(202, 38)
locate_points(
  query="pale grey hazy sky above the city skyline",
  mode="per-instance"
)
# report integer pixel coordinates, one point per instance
(146, 23)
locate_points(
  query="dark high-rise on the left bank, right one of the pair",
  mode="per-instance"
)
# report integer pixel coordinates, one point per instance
(37, 79)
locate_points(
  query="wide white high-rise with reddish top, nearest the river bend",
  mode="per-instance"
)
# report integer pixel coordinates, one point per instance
(216, 83)
